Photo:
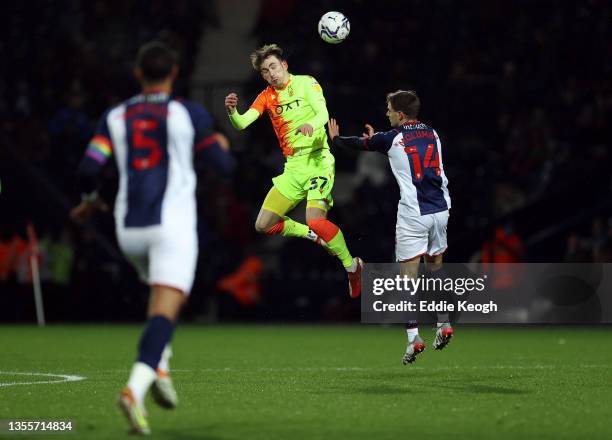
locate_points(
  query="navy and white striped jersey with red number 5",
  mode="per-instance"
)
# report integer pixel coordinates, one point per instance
(152, 138)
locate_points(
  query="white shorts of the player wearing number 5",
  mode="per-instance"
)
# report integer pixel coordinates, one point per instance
(162, 255)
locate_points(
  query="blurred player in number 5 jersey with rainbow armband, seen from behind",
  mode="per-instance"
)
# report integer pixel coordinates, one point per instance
(152, 137)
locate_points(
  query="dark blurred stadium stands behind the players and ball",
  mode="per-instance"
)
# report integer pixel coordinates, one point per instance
(519, 91)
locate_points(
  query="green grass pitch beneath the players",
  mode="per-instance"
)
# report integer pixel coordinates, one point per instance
(321, 382)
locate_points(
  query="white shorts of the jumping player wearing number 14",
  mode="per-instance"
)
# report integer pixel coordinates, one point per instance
(420, 235)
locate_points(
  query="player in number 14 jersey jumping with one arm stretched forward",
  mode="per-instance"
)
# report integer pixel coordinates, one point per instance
(415, 155)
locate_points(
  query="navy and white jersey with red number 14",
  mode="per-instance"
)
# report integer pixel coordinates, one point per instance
(415, 155)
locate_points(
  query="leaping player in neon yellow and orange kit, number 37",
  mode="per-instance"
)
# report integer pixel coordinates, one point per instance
(296, 107)
